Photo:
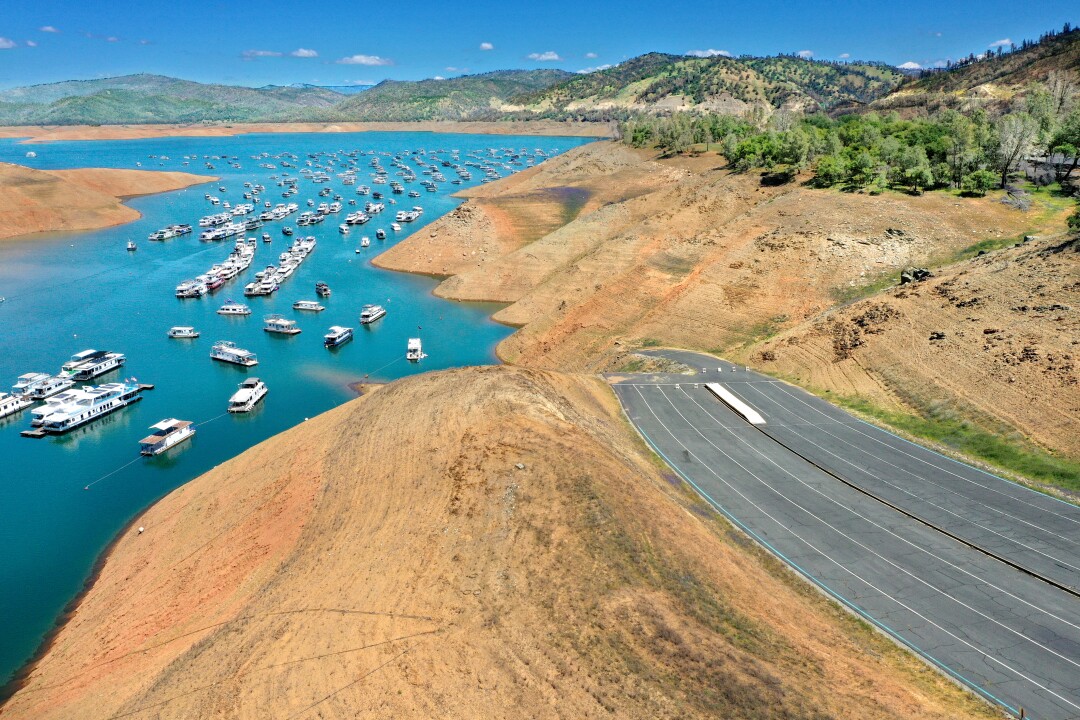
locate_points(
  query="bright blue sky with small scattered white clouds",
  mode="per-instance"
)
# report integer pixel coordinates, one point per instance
(348, 43)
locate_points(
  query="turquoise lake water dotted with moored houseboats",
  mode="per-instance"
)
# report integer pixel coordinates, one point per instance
(70, 292)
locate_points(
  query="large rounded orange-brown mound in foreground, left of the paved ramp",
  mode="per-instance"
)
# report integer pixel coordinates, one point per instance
(478, 544)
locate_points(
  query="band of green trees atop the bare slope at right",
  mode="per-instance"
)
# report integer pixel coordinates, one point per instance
(973, 152)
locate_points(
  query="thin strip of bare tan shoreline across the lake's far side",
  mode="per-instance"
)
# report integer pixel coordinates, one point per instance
(49, 133)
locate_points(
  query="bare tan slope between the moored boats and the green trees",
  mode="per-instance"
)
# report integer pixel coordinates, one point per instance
(680, 252)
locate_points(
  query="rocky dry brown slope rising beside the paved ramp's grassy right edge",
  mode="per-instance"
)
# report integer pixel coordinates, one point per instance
(1008, 349)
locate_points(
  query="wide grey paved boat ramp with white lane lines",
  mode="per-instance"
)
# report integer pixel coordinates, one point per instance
(1011, 636)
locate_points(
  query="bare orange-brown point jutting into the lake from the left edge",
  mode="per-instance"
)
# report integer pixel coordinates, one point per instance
(35, 201)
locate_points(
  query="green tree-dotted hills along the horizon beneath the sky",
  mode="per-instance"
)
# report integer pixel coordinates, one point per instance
(655, 83)
